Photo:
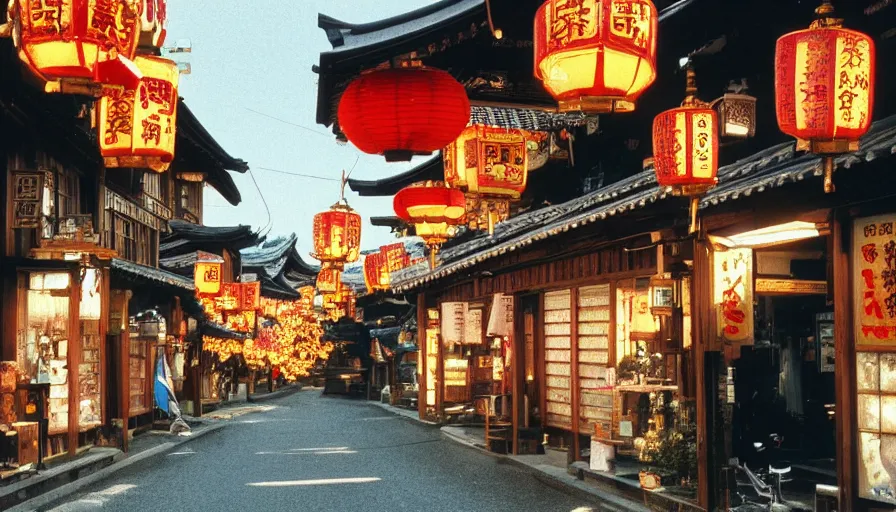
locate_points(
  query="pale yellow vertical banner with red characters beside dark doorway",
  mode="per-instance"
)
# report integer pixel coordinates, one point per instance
(733, 294)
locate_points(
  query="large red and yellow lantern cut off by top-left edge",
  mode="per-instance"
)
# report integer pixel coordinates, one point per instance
(76, 41)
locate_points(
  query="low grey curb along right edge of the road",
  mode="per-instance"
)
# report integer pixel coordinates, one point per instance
(602, 500)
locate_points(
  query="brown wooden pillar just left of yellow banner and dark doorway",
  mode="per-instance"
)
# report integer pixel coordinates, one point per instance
(702, 329)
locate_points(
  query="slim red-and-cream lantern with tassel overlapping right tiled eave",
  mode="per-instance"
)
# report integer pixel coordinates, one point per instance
(686, 147)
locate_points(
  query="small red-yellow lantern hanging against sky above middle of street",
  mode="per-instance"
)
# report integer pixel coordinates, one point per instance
(337, 235)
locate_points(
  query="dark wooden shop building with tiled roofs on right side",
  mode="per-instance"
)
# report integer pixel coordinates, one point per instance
(617, 311)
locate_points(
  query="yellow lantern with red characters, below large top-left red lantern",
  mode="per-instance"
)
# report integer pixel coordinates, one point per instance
(137, 127)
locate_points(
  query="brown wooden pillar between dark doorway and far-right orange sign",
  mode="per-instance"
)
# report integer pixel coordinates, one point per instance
(844, 359)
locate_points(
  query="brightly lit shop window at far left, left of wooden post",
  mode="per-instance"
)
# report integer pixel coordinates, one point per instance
(42, 348)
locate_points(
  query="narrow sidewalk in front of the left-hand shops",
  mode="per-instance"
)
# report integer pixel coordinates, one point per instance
(65, 478)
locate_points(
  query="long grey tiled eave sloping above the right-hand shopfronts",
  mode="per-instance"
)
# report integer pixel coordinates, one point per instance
(773, 167)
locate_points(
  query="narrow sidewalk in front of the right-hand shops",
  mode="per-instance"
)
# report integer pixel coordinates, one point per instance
(549, 468)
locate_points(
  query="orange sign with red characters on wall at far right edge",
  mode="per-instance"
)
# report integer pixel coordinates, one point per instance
(874, 267)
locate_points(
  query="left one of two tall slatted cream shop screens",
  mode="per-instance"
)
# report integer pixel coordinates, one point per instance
(558, 355)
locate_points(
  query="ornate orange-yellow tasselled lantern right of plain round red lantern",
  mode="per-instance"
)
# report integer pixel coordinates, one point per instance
(490, 165)
